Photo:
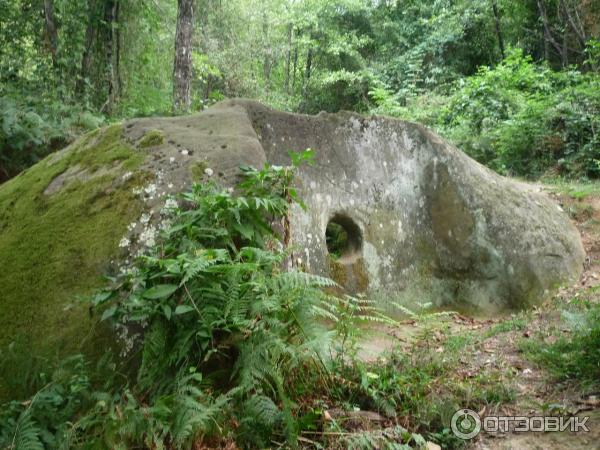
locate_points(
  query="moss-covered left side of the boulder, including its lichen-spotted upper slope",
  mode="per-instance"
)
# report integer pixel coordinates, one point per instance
(87, 211)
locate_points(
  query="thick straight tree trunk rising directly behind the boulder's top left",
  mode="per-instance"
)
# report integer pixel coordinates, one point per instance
(182, 67)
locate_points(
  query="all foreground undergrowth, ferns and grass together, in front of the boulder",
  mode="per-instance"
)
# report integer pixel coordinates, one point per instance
(222, 342)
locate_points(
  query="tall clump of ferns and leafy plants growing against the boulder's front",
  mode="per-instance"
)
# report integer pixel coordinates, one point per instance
(224, 325)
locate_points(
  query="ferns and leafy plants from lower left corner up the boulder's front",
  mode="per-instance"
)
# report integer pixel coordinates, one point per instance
(223, 330)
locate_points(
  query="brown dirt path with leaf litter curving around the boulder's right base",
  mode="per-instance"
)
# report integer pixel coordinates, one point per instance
(500, 351)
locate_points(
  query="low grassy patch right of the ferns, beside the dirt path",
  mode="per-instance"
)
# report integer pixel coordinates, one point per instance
(421, 384)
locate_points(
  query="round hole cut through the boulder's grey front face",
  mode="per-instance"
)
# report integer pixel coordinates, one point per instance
(343, 238)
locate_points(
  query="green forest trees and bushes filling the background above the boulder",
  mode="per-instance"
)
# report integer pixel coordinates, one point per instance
(513, 83)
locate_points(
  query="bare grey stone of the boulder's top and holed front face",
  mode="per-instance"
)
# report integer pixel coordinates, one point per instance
(427, 223)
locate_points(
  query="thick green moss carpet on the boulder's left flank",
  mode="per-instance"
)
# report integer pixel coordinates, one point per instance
(55, 248)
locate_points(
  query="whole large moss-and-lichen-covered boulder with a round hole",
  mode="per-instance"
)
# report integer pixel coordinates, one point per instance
(424, 222)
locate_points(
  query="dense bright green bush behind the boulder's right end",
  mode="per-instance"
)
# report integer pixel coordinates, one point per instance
(523, 119)
